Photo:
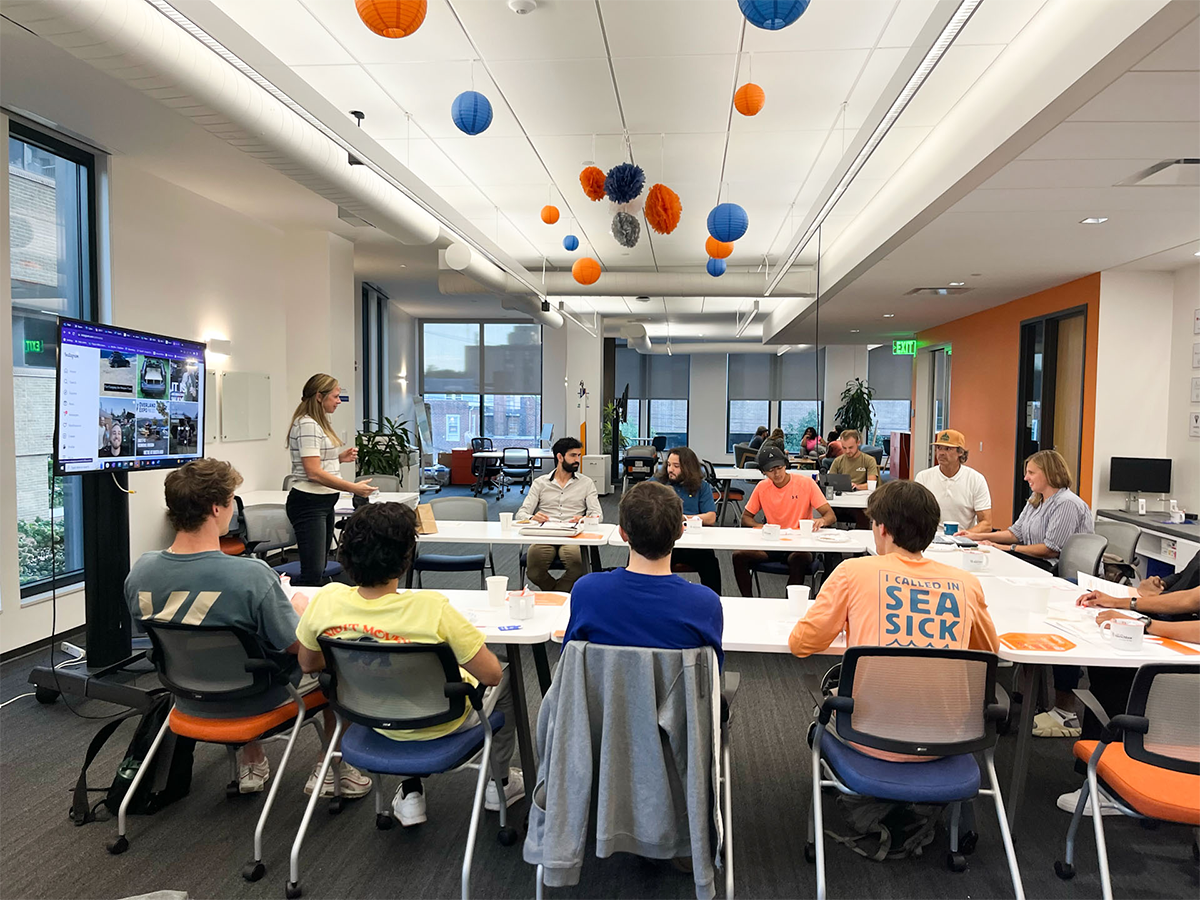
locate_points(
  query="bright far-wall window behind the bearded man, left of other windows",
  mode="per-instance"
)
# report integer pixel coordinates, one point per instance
(483, 381)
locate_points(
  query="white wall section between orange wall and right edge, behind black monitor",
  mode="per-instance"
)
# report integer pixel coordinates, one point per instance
(1133, 369)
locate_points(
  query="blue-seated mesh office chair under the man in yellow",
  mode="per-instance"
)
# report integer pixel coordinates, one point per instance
(404, 686)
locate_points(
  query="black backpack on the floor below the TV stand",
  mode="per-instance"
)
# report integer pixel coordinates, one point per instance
(171, 776)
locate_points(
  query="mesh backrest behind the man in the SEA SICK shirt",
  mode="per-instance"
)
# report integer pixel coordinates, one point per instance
(928, 703)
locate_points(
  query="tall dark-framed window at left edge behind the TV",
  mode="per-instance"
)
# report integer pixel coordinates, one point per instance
(51, 221)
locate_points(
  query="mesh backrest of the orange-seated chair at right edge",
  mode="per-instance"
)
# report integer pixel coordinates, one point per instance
(1168, 695)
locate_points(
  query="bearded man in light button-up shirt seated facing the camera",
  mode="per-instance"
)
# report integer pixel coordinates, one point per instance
(562, 496)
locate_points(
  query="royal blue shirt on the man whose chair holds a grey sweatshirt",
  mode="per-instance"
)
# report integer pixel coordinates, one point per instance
(626, 609)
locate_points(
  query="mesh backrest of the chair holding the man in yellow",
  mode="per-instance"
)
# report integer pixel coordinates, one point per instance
(392, 686)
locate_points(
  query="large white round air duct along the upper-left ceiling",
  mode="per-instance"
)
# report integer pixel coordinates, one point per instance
(134, 43)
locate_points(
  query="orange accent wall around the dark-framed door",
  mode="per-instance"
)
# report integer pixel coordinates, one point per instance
(985, 383)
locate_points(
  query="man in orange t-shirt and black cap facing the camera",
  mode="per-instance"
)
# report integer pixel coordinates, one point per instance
(784, 500)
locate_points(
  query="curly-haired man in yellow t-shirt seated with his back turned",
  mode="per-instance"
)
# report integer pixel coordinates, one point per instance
(376, 551)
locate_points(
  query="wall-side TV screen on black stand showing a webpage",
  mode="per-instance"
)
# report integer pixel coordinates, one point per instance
(127, 400)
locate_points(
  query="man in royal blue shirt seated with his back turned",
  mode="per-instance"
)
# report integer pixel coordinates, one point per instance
(645, 605)
